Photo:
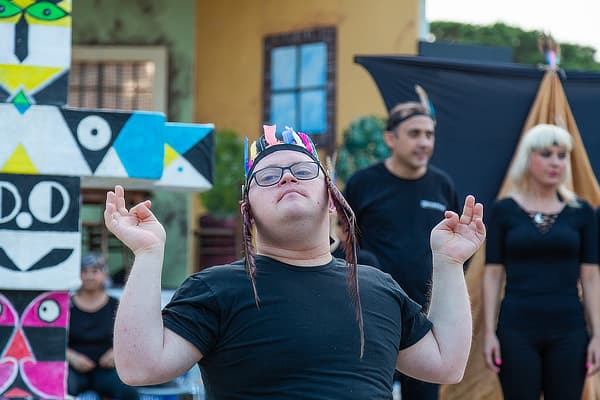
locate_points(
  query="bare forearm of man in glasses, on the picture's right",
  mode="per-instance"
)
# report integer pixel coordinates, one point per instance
(450, 313)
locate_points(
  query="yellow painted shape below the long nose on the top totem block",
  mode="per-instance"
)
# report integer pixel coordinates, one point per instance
(29, 76)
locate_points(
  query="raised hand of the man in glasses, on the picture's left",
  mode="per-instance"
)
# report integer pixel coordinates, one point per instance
(137, 228)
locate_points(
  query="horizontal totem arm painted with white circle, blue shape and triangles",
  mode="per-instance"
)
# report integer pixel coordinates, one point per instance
(106, 147)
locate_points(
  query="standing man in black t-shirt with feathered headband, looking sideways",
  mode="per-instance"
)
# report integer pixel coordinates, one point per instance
(397, 202)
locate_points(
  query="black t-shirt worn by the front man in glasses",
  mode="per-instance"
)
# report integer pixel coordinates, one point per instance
(303, 342)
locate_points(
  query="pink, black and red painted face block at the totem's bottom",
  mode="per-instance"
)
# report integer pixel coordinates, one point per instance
(33, 338)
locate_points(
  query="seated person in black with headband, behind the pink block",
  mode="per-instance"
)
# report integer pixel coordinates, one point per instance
(89, 352)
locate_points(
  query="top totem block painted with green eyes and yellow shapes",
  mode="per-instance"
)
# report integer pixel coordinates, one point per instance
(35, 51)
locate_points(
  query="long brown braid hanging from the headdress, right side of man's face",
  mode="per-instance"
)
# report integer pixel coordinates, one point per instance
(346, 216)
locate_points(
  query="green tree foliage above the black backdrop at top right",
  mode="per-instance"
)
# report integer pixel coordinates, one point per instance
(523, 43)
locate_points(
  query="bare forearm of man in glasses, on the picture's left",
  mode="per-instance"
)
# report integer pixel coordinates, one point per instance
(138, 326)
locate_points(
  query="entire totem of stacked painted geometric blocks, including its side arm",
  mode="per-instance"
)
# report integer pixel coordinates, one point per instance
(47, 152)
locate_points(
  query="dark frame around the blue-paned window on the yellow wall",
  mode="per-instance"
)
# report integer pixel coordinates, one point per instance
(328, 35)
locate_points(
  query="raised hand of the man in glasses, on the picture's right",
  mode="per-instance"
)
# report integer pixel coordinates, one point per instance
(458, 238)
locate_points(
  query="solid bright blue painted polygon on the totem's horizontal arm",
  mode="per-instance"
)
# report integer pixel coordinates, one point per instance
(140, 145)
